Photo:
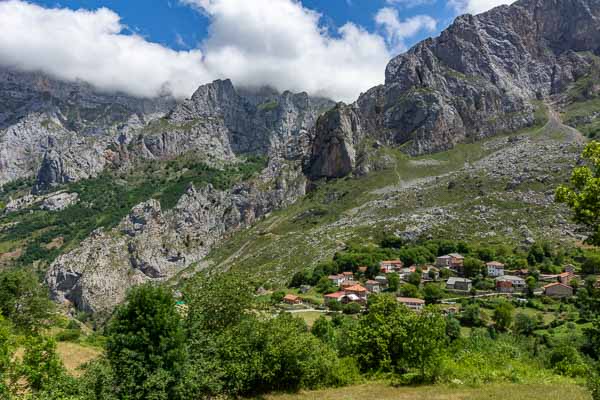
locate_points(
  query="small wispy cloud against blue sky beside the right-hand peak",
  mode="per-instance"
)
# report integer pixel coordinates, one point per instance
(396, 31)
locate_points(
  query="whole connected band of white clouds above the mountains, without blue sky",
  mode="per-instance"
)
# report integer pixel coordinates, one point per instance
(279, 43)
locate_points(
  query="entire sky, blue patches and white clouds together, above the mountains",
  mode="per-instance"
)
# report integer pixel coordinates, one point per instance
(331, 48)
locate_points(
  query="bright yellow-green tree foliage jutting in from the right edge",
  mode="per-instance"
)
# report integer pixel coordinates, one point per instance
(583, 194)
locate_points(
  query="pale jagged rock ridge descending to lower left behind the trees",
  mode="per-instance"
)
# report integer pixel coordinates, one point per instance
(151, 244)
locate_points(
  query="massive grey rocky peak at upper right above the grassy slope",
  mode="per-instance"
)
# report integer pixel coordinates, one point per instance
(479, 77)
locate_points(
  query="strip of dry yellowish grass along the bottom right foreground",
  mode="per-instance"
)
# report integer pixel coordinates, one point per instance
(381, 391)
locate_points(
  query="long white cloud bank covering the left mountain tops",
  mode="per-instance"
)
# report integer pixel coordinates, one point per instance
(90, 45)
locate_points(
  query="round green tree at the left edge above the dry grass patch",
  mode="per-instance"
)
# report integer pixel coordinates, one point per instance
(24, 300)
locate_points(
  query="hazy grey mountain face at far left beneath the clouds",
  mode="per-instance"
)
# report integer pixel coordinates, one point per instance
(61, 127)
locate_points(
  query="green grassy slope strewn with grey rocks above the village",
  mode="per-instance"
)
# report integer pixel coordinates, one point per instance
(495, 191)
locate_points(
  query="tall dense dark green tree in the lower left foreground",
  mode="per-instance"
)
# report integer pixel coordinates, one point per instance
(146, 345)
